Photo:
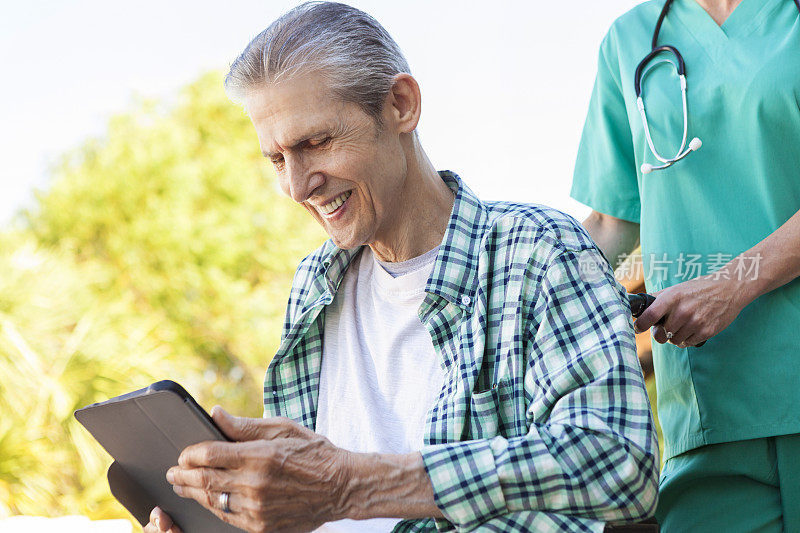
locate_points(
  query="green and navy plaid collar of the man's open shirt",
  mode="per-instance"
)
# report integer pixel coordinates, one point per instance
(454, 275)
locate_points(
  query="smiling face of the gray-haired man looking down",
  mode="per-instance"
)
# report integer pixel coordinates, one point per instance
(331, 157)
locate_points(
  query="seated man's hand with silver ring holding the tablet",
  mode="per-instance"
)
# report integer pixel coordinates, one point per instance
(280, 475)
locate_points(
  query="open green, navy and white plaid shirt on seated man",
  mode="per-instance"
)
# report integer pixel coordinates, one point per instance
(543, 423)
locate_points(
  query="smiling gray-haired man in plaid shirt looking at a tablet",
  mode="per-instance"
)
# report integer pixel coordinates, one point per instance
(446, 363)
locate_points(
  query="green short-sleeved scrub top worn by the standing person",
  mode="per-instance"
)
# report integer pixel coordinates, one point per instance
(741, 185)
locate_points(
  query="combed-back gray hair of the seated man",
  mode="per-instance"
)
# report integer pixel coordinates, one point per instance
(355, 53)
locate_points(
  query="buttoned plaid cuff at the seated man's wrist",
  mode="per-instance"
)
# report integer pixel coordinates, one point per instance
(466, 485)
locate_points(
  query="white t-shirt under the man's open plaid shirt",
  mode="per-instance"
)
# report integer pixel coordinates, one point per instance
(380, 374)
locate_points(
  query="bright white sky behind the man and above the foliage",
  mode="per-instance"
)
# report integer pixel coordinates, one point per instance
(505, 84)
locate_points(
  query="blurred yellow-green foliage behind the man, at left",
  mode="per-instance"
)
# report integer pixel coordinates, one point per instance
(163, 249)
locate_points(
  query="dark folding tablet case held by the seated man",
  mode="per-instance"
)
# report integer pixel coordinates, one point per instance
(145, 432)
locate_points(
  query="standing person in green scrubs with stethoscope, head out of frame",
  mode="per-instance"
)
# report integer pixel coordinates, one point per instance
(720, 241)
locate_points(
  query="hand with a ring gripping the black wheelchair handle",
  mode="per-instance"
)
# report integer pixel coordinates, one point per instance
(693, 311)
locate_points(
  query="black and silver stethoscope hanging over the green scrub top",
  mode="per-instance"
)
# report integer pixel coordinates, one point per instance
(695, 143)
